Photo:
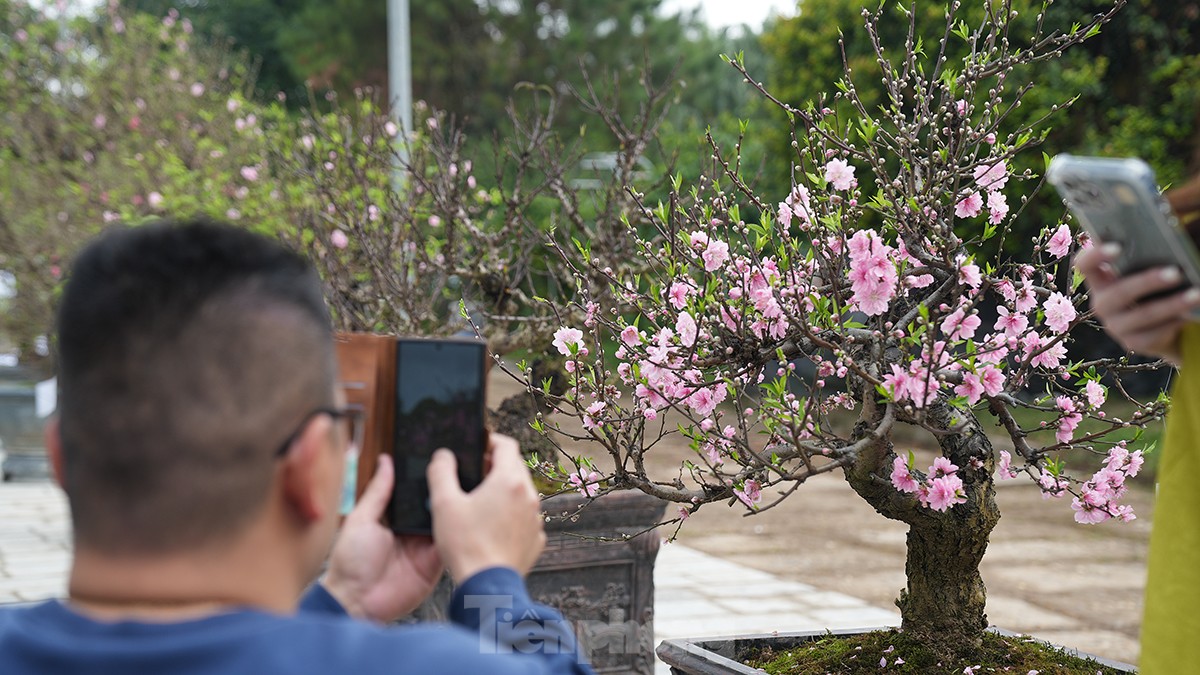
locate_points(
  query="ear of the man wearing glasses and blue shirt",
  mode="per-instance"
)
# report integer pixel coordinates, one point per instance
(303, 471)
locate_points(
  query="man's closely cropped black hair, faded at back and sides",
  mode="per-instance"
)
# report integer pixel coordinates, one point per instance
(188, 354)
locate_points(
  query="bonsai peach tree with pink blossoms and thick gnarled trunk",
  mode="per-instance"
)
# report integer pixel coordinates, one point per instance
(785, 337)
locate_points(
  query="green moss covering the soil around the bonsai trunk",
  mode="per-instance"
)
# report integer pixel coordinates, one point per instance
(868, 654)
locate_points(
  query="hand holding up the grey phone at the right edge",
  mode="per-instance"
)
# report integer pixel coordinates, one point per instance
(1148, 328)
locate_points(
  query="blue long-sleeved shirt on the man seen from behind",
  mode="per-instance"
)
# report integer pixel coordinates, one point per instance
(496, 629)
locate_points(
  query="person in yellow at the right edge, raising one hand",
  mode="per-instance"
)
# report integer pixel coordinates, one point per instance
(1163, 327)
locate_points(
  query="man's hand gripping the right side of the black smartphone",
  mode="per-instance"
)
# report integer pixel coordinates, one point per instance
(499, 524)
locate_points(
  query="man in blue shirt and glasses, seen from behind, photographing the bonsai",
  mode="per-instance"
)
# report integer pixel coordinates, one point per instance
(201, 441)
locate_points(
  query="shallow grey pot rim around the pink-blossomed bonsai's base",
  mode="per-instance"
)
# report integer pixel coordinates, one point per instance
(725, 656)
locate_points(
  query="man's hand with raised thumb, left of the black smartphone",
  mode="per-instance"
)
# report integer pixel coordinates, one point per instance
(373, 572)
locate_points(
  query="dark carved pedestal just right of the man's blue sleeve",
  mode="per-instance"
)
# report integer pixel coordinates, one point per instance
(604, 588)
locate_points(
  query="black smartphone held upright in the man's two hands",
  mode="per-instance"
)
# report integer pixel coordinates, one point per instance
(441, 403)
